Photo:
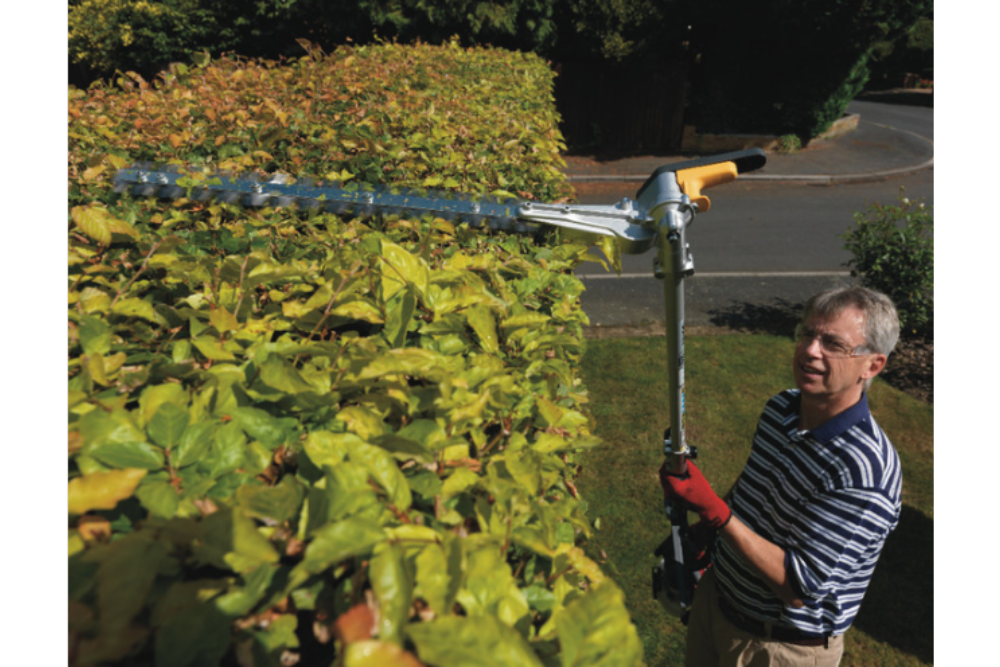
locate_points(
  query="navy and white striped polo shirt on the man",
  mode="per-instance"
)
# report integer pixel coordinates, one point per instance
(829, 497)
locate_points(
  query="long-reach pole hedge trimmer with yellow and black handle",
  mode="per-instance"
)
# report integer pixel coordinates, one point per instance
(664, 207)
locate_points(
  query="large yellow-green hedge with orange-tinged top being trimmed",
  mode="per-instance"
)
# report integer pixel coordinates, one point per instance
(296, 436)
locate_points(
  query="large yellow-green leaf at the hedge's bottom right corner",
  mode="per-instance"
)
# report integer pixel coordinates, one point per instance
(595, 629)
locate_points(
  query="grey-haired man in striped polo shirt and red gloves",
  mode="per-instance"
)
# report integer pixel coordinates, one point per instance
(804, 524)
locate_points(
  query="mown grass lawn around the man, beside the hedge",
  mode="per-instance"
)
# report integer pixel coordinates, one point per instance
(728, 380)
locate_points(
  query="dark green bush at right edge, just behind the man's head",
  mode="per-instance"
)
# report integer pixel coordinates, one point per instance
(892, 250)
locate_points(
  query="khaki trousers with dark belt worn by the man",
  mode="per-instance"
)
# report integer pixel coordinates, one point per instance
(712, 641)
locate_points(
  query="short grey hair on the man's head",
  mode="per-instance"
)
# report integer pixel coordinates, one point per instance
(881, 327)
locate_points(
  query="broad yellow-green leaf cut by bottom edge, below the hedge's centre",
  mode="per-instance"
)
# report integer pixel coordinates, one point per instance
(465, 641)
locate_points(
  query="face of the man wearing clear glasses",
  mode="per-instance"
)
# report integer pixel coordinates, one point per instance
(825, 365)
